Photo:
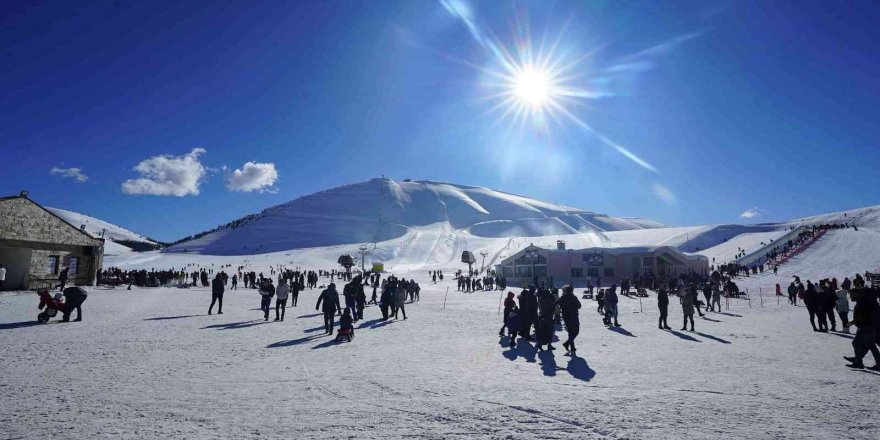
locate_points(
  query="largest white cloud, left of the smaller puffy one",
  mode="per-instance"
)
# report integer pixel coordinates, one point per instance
(168, 175)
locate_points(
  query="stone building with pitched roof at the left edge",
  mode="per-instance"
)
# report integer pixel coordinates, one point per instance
(35, 245)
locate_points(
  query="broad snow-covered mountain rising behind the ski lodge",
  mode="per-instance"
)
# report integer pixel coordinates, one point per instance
(383, 209)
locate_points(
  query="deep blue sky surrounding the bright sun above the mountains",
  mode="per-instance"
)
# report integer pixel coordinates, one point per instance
(733, 106)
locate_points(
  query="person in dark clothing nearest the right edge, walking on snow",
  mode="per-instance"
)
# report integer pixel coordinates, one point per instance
(866, 317)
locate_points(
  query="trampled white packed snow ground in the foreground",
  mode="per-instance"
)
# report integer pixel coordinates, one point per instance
(150, 363)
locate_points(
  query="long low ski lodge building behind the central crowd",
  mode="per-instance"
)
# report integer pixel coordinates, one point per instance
(565, 266)
